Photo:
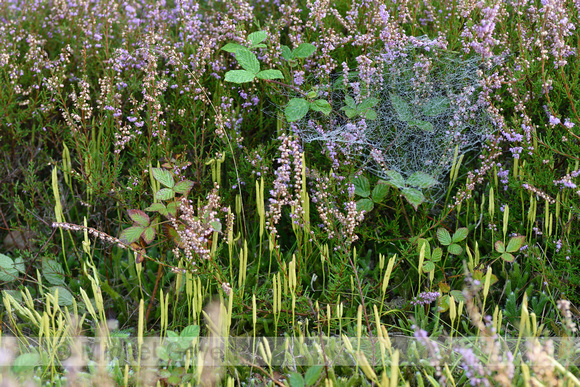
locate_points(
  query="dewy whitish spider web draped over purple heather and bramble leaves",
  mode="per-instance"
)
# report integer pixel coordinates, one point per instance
(428, 104)
